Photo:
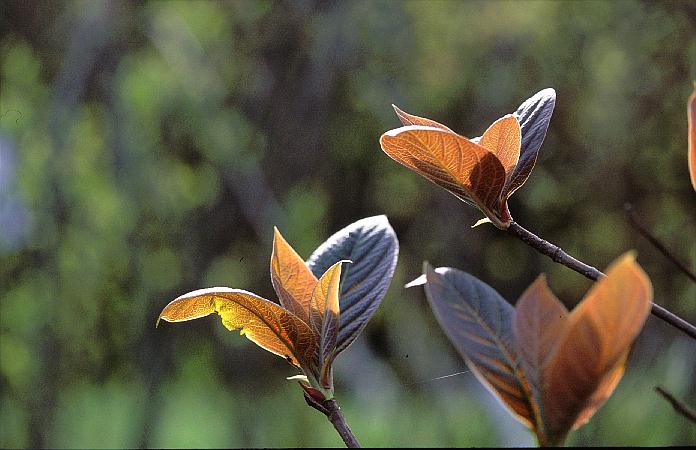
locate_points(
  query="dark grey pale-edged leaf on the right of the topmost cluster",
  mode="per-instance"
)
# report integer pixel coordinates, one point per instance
(534, 115)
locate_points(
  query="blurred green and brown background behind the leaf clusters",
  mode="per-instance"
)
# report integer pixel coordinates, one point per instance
(148, 148)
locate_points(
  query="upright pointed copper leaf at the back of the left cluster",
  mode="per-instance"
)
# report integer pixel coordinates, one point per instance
(291, 278)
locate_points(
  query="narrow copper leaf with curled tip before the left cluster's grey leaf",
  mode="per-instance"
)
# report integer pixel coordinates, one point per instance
(324, 318)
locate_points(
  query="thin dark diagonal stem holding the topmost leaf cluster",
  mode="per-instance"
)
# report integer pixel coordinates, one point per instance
(558, 255)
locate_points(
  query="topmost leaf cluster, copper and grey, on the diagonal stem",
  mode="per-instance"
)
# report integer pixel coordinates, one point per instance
(483, 171)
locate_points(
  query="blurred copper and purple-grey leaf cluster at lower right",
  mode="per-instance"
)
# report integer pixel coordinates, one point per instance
(551, 368)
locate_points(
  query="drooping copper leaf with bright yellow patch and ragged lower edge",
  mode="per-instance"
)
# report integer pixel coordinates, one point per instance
(265, 323)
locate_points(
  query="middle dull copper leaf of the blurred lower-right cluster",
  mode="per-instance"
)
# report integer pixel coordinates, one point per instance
(540, 319)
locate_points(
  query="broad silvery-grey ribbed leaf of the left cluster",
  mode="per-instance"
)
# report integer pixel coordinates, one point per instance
(372, 246)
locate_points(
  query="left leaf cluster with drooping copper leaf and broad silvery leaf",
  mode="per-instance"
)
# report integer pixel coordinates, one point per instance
(320, 311)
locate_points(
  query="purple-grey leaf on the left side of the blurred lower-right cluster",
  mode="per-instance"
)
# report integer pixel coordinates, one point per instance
(478, 321)
